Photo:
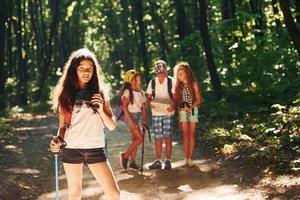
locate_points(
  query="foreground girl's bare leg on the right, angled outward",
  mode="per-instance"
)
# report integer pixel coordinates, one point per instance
(105, 178)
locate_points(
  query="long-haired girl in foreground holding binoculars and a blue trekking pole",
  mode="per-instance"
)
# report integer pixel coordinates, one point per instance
(83, 109)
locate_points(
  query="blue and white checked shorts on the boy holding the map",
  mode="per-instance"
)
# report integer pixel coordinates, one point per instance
(162, 126)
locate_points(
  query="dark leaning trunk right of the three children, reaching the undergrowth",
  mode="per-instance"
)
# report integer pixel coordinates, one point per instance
(215, 81)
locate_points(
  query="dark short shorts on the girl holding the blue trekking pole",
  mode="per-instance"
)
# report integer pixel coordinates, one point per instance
(85, 156)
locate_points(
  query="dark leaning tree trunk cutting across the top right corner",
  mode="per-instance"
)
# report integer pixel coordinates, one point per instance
(290, 24)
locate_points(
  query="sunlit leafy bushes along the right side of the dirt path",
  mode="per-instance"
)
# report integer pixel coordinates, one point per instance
(273, 136)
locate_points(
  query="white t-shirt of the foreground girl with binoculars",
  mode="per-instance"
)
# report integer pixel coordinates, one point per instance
(86, 129)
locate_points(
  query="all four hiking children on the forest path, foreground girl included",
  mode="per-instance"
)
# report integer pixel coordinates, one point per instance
(82, 103)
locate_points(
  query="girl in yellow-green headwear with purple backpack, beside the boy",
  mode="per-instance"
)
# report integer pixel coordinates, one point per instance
(134, 108)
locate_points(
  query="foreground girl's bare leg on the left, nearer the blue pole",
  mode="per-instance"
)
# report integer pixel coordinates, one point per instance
(74, 178)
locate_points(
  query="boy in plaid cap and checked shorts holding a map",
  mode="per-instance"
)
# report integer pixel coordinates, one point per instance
(160, 98)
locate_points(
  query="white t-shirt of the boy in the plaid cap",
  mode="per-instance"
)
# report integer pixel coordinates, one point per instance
(161, 94)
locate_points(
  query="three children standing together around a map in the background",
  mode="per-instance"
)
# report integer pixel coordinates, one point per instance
(164, 95)
